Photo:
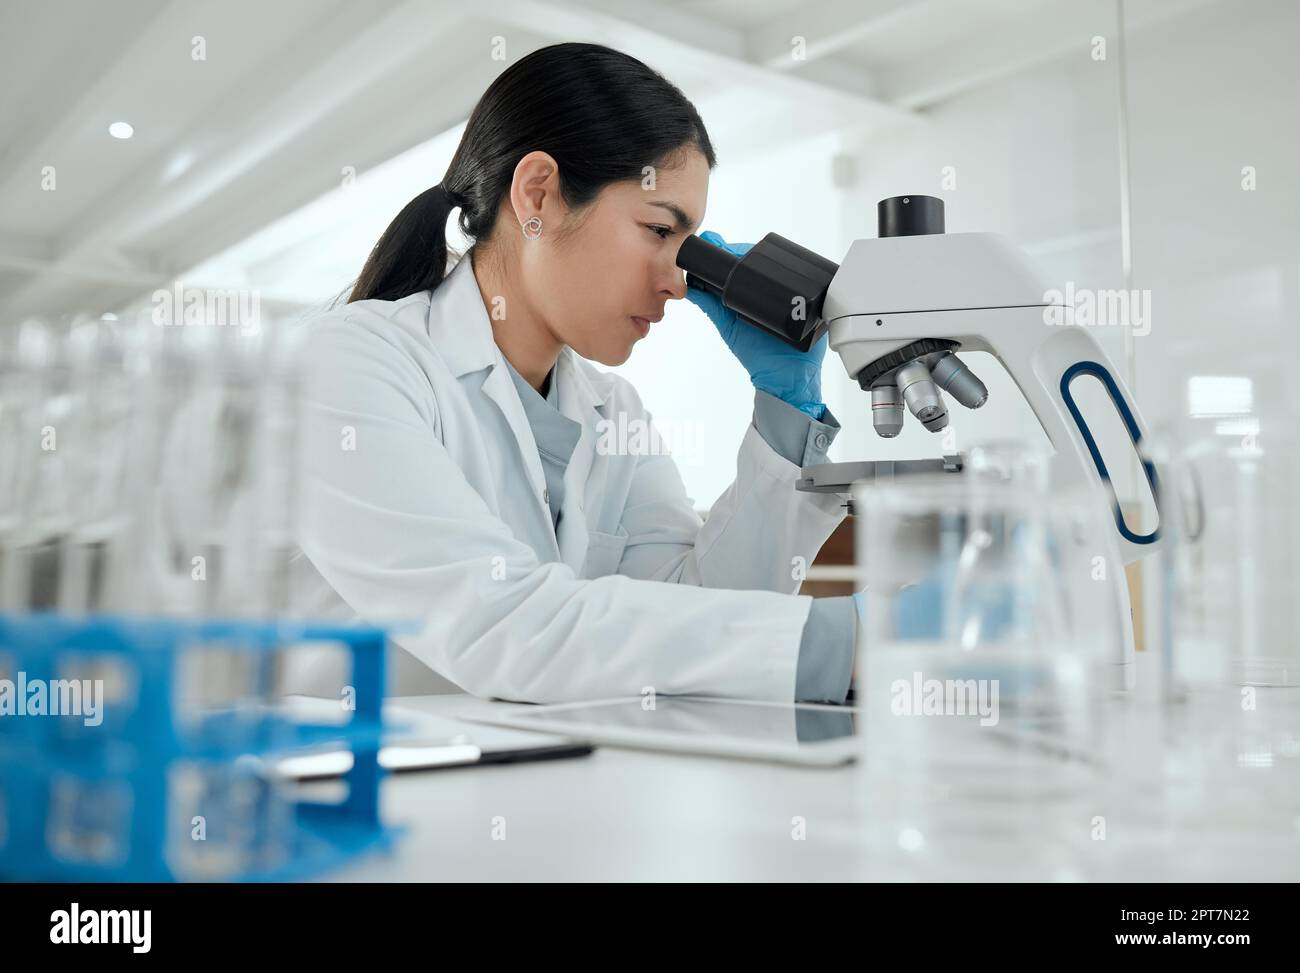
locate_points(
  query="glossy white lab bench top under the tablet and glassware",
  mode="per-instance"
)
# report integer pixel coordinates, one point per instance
(652, 816)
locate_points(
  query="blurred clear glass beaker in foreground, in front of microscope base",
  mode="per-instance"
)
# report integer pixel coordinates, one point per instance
(981, 659)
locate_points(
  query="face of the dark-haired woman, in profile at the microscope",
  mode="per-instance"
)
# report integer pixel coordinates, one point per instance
(619, 262)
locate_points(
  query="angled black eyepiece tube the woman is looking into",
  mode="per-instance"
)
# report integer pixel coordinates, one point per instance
(777, 286)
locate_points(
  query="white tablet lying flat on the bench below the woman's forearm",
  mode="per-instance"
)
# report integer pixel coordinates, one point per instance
(788, 733)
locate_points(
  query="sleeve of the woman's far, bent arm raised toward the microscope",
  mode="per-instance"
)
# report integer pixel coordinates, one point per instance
(761, 534)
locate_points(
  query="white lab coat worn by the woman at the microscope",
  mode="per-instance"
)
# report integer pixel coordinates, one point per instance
(424, 503)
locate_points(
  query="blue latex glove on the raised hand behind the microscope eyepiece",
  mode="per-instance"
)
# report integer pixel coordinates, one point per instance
(779, 370)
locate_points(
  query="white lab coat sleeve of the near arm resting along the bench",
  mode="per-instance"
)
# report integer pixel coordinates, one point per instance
(402, 537)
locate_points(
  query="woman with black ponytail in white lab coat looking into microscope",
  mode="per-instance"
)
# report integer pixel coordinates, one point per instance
(453, 472)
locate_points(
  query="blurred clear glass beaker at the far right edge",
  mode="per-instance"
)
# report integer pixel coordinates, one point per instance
(1228, 619)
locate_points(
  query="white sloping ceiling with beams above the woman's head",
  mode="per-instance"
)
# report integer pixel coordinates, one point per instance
(237, 159)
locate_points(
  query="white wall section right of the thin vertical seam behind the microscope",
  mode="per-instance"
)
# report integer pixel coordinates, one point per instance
(1216, 93)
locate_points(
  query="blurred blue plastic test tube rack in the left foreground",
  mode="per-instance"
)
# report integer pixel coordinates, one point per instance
(118, 773)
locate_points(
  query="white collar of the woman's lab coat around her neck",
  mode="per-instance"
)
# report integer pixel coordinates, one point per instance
(461, 331)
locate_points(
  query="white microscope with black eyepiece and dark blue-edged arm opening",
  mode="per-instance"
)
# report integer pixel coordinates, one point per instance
(898, 310)
